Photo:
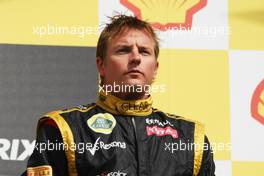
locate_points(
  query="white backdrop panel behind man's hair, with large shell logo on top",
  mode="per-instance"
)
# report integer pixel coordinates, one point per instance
(199, 30)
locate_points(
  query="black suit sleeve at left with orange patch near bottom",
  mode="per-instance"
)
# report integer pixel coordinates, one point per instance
(46, 154)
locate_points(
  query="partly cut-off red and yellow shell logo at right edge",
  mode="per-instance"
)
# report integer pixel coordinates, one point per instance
(257, 103)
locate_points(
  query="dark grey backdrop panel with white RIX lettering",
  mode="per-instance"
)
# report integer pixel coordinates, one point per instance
(35, 80)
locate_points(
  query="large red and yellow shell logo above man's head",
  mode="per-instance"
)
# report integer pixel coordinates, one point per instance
(165, 14)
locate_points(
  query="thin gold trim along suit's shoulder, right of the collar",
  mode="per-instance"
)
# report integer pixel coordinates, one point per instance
(178, 117)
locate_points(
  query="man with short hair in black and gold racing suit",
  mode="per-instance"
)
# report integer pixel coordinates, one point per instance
(121, 134)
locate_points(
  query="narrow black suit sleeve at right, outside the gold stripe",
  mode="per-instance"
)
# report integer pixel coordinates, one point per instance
(208, 165)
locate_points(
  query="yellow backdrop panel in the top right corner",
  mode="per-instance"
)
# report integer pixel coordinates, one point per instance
(246, 23)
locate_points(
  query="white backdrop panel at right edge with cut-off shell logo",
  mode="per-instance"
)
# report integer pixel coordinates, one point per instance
(247, 104)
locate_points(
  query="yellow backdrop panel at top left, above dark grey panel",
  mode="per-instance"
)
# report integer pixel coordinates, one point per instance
(26, 22)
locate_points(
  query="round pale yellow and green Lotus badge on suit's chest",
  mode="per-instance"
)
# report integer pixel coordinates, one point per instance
(102, 123)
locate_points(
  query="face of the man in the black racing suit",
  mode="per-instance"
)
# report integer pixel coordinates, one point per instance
(130, 59)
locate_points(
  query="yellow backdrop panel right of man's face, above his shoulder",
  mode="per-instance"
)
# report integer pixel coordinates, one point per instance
(197, 88)
